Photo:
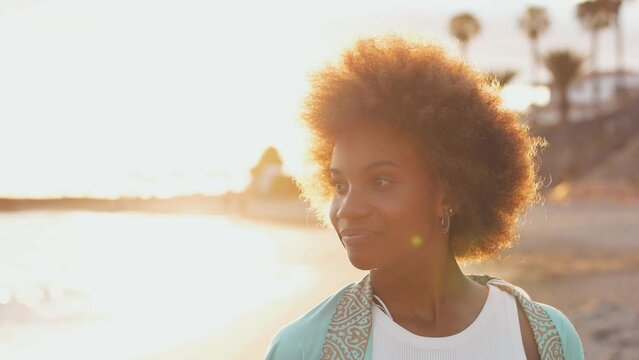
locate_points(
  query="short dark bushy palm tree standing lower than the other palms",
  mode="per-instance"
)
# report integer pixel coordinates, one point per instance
(564, 66)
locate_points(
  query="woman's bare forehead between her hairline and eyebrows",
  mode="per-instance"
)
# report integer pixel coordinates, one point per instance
(365, 143)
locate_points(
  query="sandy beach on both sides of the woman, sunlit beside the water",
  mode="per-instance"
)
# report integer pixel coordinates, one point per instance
(581, 258)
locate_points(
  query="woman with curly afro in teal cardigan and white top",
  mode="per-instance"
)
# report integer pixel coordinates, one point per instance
(422, 168)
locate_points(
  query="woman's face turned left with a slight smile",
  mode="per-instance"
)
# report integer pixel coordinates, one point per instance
(386, 206)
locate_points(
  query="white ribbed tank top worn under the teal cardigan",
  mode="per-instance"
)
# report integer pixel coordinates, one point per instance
(494, 335)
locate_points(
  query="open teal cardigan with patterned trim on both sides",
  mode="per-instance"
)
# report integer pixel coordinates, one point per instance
(340, 327)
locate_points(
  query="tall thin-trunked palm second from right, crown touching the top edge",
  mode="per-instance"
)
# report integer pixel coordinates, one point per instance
(594, 16)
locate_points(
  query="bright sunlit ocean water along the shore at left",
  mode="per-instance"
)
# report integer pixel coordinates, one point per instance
(80, 285)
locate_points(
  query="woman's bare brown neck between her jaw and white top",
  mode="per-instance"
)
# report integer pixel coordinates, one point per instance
(423, 287)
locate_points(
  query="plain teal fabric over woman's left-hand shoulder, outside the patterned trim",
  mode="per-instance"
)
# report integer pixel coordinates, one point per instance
(303, 338)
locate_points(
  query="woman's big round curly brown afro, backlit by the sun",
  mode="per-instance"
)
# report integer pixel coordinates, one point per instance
(485, 159)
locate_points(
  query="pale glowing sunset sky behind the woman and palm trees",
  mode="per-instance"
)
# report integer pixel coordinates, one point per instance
(161, 98)
